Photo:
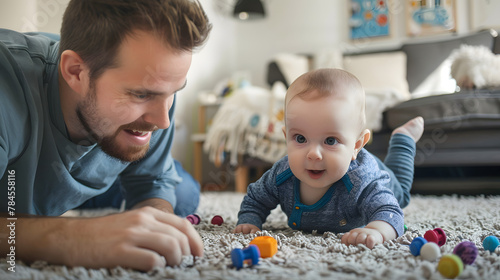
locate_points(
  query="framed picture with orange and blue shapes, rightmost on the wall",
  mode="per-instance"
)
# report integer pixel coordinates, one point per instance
(426, 17)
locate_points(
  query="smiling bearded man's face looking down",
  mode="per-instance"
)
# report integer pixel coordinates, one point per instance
(126, 104)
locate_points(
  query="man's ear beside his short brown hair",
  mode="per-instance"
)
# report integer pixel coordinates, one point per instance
(74, 71)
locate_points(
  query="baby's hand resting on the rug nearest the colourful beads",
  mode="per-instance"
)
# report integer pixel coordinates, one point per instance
(376, 232)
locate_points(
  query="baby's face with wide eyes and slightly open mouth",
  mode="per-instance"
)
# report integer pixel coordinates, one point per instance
(321, 134)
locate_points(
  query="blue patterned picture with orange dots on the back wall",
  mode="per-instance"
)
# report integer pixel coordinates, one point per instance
(369, 18)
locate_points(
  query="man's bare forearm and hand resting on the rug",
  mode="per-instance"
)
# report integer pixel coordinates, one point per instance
(139, 239)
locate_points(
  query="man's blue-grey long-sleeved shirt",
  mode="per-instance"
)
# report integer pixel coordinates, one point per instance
(51, 173)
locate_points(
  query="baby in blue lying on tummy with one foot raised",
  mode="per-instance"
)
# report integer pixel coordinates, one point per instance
(328, 181)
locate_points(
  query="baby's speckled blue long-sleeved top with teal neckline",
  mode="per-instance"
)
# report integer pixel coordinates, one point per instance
(360, 197)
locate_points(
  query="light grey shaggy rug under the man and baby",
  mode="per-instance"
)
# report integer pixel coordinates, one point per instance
(310, 256)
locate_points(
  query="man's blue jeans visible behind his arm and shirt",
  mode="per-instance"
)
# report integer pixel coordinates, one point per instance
(187, 193)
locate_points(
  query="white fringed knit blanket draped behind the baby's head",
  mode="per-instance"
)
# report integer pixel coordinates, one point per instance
(249, 122)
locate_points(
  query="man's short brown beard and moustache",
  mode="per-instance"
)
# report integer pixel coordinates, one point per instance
(88, 116)
